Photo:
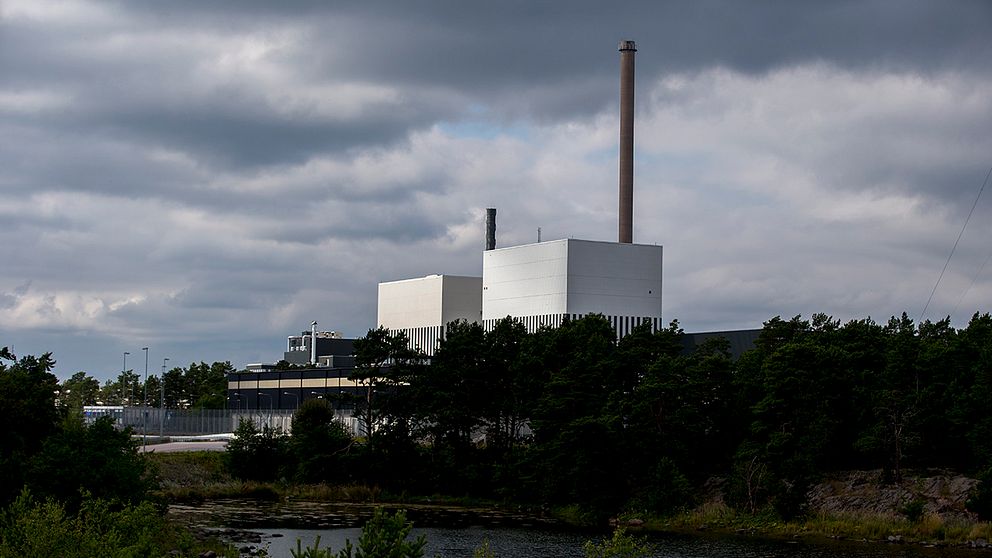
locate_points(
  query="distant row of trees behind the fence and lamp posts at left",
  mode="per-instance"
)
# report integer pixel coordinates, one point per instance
(194, 386)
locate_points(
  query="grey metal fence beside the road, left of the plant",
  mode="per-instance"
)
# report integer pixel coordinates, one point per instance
(201, 422)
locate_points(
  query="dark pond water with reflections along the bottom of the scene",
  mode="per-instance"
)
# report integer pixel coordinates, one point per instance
(454, 533)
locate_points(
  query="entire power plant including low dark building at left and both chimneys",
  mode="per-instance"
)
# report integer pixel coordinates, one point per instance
(541, 285)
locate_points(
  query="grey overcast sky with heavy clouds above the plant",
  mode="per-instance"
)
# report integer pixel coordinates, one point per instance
(206, 178)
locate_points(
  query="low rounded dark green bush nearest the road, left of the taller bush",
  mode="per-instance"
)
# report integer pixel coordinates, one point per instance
(255, 454)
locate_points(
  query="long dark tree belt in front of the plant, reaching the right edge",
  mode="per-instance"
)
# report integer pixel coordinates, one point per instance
(573, 417)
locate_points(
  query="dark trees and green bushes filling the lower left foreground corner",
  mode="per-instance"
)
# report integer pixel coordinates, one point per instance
(69, 488)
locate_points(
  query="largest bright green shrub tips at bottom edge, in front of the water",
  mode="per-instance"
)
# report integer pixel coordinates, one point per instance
(384, 536)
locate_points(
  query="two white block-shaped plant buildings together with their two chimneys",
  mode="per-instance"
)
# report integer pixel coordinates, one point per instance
(545, 283)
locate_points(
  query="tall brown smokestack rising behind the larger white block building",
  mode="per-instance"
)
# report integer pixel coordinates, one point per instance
(627, 50)
